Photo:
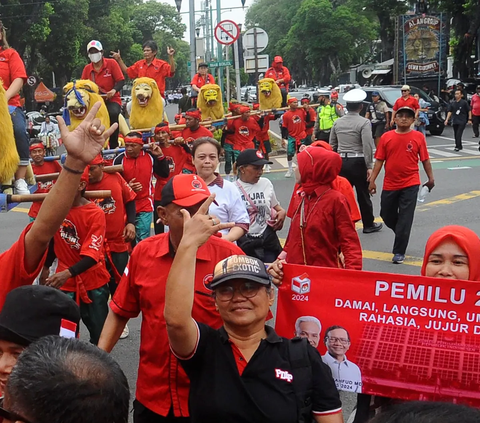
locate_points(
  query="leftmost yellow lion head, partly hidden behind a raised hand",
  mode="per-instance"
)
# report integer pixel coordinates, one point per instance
(89, 94)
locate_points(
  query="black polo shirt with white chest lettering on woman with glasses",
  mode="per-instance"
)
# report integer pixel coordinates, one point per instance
(263, 393)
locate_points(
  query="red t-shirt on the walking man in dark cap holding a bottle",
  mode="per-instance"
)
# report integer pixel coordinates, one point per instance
(401, 153)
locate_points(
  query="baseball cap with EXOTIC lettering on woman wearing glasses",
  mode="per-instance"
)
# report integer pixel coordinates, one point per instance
(240, 267)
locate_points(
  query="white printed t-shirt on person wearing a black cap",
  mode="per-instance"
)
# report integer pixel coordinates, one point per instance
(263, 196)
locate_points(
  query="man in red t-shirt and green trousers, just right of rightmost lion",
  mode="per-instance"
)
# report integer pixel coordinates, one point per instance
(293, 131)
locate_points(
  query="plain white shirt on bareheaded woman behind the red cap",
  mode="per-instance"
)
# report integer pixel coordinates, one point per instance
(230, 206)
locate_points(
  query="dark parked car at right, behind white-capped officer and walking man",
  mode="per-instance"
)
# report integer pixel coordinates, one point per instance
(437, 112)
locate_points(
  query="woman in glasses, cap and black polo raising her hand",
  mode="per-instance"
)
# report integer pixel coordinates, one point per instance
(241, 372)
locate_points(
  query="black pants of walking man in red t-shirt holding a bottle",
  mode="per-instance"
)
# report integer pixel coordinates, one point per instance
(397, 211)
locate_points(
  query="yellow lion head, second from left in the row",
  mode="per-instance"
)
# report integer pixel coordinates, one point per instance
(147, 104)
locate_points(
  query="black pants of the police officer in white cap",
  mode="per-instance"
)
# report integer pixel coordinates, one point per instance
(355, 170)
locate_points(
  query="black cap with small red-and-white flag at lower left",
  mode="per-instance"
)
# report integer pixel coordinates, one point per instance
(33, 311)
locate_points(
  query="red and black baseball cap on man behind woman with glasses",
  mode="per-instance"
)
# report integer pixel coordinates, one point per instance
(184, 190)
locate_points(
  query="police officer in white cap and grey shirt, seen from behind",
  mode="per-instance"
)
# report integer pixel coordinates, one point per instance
(351, 137)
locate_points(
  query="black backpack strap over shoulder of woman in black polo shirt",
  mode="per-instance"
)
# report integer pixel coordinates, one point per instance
(302, 377)
